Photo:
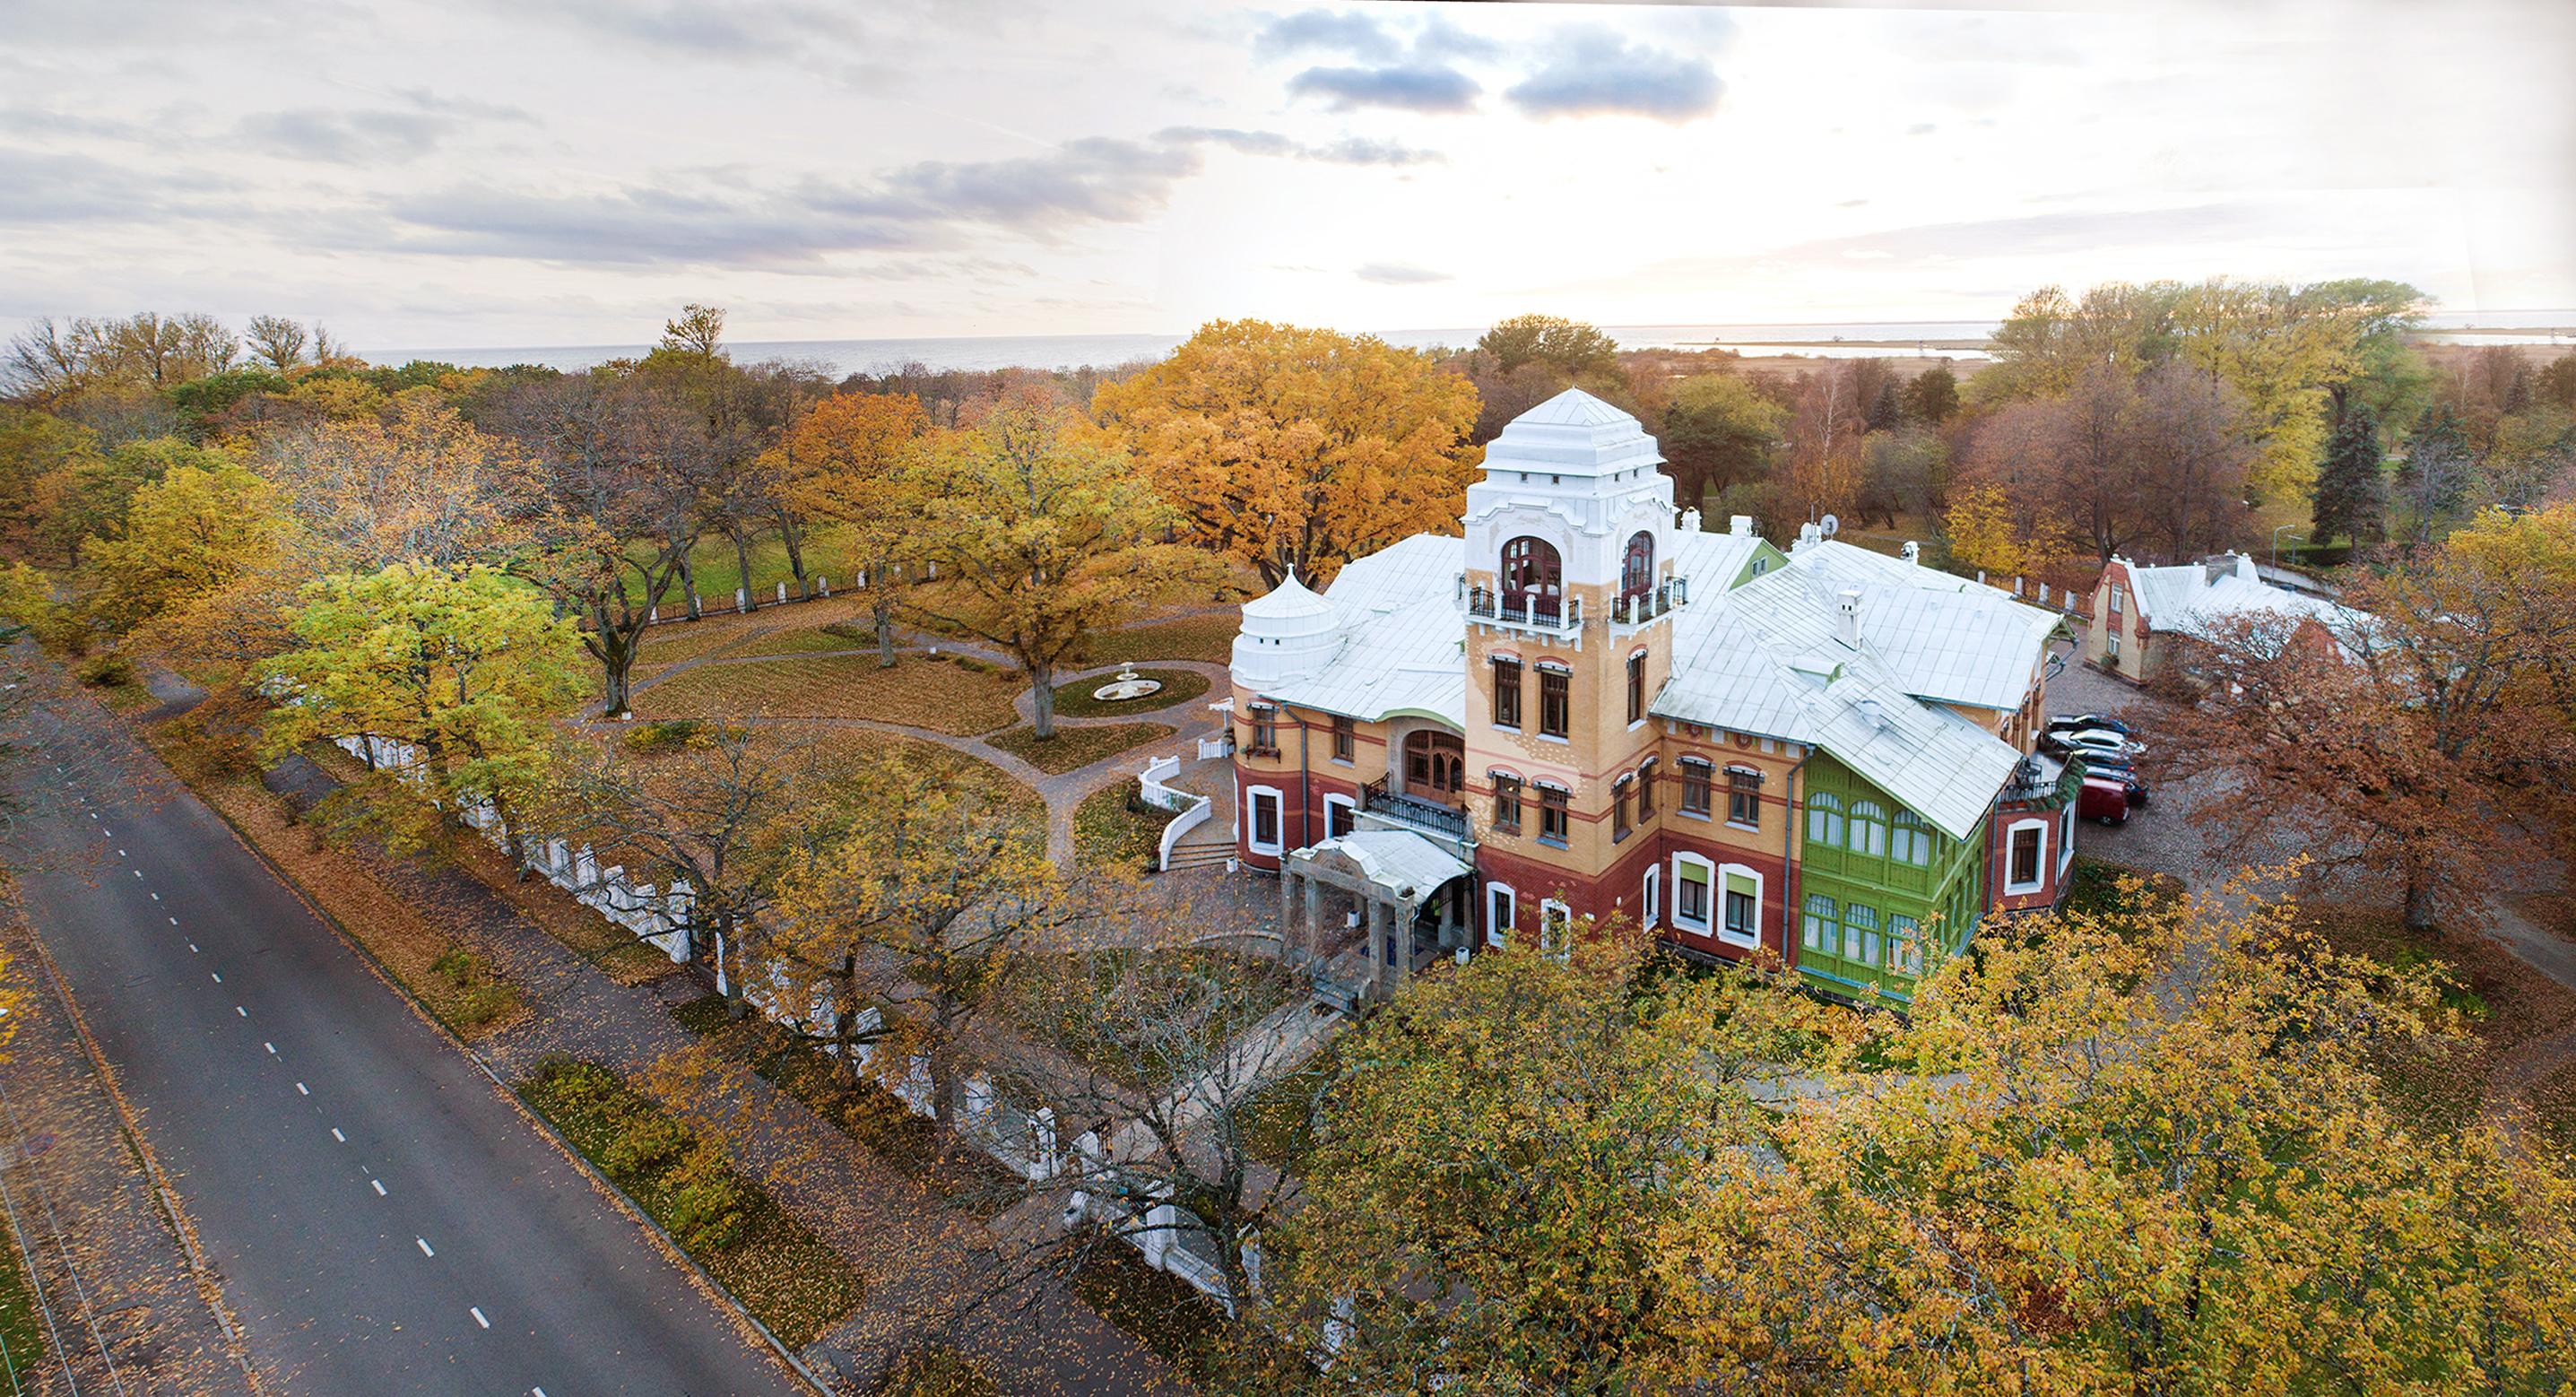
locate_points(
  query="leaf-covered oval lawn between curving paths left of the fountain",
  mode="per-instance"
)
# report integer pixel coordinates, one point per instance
(949, 695)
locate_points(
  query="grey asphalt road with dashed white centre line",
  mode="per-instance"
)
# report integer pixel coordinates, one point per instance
(383, 1220)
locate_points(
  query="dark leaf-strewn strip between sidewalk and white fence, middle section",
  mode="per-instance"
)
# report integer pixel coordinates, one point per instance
(913, 1146)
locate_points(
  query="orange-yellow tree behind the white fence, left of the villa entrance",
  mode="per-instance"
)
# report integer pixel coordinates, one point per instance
(911, 924)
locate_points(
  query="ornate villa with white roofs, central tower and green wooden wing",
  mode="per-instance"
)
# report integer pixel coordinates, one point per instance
(1586, 705)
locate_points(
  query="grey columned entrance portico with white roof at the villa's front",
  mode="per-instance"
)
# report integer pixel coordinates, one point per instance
(1390, 875)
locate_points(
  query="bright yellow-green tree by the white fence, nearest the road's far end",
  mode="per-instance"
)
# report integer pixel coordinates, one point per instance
(460, 664)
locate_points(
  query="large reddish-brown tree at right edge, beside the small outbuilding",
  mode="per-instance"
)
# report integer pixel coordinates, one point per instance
(2415, 736)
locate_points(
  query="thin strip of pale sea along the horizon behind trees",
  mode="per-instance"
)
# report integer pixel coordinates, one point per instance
(1815, 339)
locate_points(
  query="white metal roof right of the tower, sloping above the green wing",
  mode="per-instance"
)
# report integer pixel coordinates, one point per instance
(1766, 659)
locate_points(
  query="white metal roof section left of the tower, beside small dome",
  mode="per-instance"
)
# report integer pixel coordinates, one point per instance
(1403, 638)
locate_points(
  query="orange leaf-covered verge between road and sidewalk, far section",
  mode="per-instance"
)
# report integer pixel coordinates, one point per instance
(413, 942)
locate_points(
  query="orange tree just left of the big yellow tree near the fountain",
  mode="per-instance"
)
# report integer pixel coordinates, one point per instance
(844, 463)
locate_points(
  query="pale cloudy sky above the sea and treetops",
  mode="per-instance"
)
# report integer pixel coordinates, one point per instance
(571, 171)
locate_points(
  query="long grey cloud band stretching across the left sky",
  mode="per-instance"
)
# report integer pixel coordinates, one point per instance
(923, 207)
